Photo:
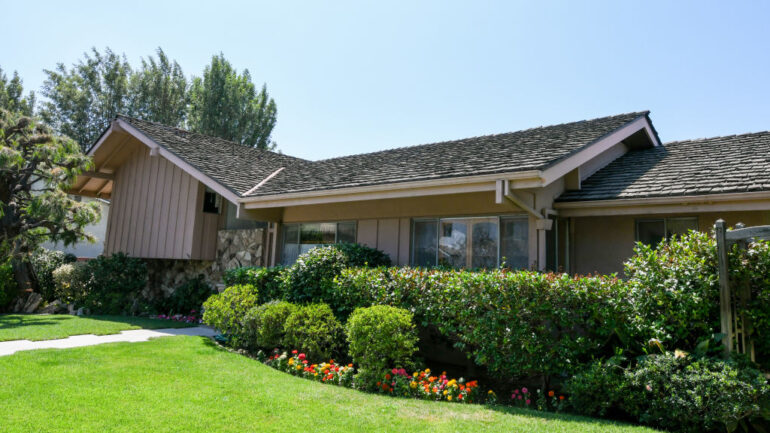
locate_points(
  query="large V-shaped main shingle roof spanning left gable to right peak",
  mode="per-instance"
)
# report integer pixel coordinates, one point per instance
(240, 168)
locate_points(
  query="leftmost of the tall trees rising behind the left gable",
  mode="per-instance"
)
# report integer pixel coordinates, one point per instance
(82, 100)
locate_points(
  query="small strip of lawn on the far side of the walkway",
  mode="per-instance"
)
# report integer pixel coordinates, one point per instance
(53, 326)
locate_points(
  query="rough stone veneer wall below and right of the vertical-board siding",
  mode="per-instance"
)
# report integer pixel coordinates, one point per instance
(235, 248)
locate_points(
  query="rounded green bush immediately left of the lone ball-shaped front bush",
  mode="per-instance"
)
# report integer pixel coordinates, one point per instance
(314, 330)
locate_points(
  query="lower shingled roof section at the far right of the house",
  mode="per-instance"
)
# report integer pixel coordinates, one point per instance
(736, 163)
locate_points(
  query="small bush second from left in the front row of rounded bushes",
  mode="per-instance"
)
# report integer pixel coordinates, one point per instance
(265, 324)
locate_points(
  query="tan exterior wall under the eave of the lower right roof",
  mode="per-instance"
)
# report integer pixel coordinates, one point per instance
(601, 244)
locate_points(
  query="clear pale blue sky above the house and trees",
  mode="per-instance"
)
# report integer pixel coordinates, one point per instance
(359, 76)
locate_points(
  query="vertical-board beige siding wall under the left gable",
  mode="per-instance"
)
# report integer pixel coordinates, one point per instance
(156, 211)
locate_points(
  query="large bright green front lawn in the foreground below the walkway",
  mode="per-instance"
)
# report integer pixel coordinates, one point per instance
(188, 384)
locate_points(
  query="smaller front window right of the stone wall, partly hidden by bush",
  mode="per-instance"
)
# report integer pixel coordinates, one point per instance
(301, 238)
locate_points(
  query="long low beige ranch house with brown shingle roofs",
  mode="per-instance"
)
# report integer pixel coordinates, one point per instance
(573, 197)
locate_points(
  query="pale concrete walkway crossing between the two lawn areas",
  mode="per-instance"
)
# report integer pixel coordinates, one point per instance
(131, 336)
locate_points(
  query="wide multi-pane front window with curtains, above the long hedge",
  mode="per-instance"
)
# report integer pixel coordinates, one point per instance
(470, 242)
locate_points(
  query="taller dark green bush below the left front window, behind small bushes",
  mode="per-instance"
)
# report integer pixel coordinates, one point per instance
(310, 278)
